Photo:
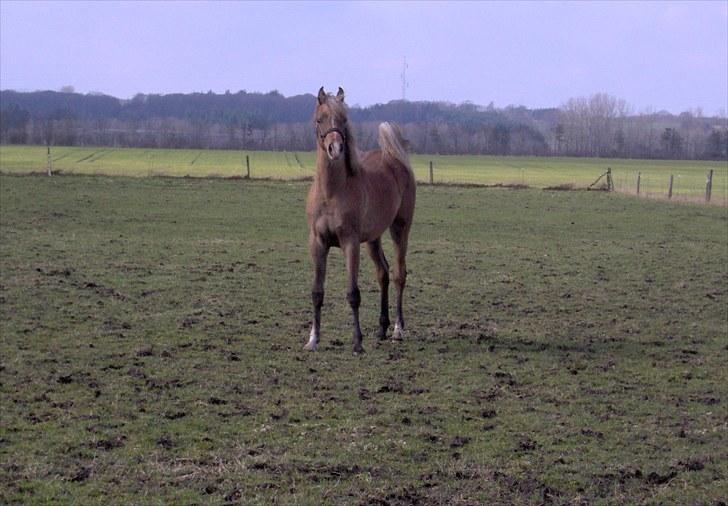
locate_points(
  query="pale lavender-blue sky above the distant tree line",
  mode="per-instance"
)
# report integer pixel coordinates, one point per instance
(655, 55)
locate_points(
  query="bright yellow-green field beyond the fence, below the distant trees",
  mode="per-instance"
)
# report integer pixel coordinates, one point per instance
(538, 172)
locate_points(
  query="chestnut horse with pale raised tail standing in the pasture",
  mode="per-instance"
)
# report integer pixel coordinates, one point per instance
(354, 198)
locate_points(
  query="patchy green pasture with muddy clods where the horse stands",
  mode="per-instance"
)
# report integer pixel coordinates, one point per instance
(562, 348)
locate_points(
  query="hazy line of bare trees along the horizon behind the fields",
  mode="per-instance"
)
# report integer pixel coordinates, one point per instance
(595, 126)
